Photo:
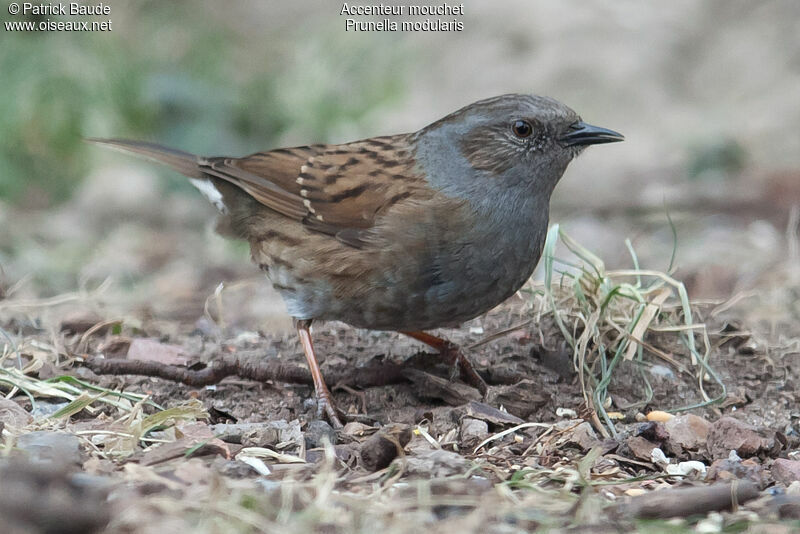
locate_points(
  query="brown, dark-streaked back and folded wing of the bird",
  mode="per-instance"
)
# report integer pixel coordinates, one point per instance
(334, 189)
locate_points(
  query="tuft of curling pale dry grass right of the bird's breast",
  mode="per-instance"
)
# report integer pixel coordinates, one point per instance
(606, 316)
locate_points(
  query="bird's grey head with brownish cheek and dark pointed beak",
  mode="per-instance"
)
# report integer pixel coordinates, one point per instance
(512, 143)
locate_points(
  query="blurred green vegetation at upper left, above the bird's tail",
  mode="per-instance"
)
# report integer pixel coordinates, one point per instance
(171, 73)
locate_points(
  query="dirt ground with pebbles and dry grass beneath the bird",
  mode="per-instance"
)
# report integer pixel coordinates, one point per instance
(420, 450)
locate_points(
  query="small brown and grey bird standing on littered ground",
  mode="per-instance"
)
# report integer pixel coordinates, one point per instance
(409, 232)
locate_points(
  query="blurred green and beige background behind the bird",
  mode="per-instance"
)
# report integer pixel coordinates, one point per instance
(705, 92)
